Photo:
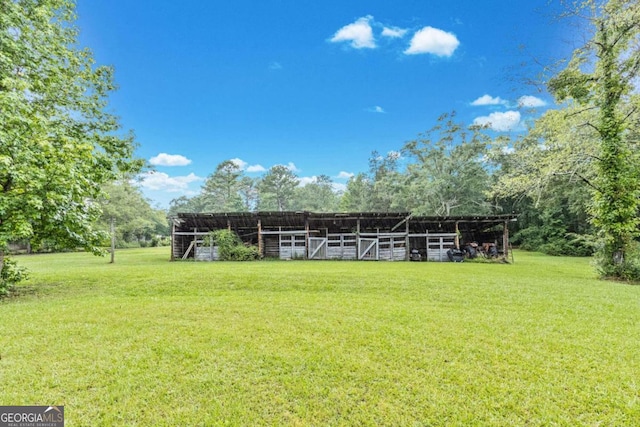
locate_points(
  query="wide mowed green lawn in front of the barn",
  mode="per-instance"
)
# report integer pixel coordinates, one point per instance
(148, 342)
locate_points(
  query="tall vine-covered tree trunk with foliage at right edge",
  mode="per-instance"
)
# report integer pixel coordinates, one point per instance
(602, 76)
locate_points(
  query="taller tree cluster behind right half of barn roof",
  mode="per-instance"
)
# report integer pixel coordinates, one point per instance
(443, 172)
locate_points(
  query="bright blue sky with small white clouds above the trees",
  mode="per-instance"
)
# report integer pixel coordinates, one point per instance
(315, 85)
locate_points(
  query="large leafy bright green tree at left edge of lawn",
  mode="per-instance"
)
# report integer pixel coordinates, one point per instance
(58, 142)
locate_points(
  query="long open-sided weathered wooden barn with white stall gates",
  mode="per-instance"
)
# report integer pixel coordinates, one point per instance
(391, 236)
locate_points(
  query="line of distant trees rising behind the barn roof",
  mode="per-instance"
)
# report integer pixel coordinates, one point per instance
(444, 172)
